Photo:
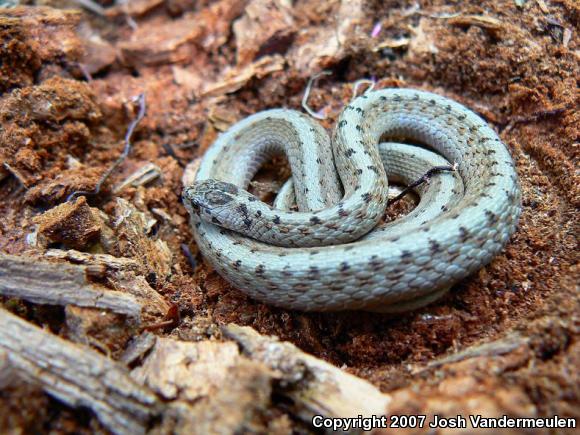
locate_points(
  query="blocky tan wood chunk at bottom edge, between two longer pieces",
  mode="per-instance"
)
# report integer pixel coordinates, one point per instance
(210, 388)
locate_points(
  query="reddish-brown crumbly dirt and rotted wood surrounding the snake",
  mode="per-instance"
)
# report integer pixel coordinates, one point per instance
(68, 82)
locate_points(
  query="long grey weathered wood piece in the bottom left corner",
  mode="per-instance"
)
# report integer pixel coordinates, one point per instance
(77, 376)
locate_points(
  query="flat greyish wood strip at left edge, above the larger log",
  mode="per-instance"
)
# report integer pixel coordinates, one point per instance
(60, 284)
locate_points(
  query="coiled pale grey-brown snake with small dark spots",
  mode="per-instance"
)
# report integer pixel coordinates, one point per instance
(324, 244)
